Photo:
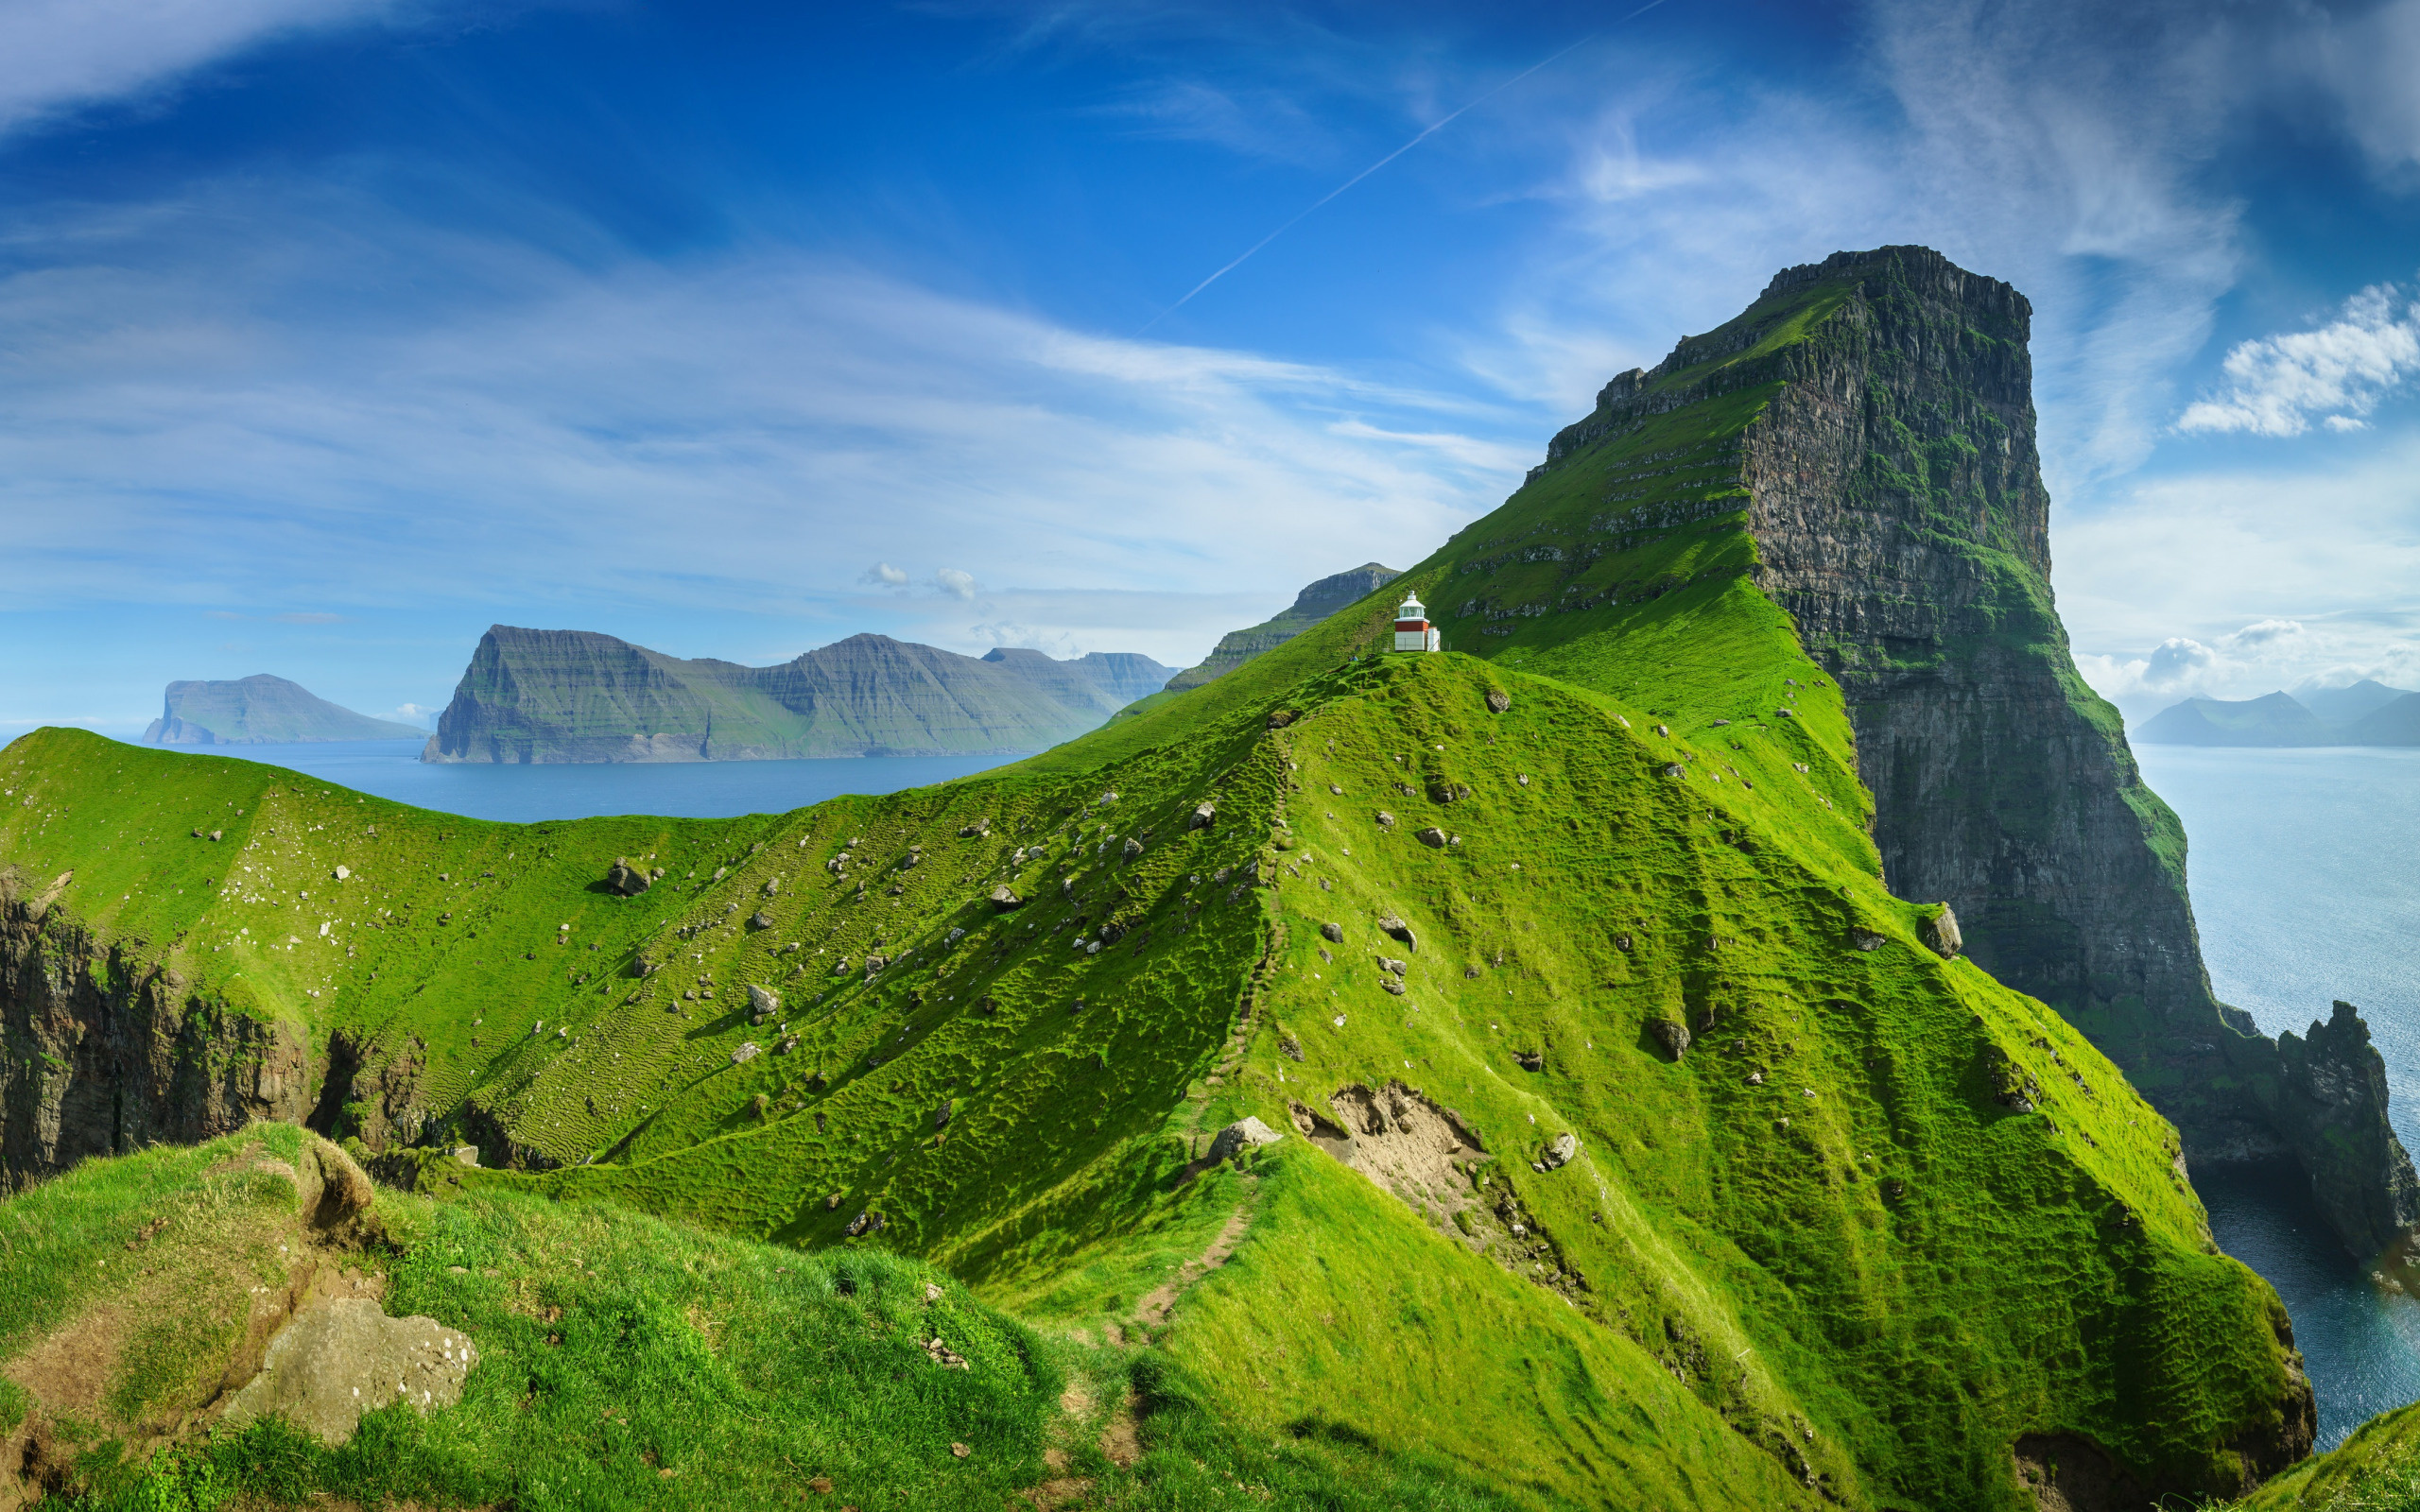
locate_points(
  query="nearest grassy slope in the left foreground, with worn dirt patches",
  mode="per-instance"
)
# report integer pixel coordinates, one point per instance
(621, 1363)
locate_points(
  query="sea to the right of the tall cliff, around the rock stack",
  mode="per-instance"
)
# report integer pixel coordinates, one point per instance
(2305, 891)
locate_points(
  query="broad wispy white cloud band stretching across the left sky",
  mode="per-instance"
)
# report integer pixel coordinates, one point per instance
(718, 434)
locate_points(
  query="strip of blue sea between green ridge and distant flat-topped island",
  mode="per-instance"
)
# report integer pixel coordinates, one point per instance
(567, 792)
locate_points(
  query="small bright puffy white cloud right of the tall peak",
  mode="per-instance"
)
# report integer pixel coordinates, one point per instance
(2276, 386)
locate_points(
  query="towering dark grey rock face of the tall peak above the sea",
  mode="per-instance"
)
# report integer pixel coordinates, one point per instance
(1901, 519)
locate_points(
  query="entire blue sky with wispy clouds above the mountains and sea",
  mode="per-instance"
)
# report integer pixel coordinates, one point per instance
(338, 330)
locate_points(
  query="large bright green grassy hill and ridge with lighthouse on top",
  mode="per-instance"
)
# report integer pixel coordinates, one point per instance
(1882, 1235)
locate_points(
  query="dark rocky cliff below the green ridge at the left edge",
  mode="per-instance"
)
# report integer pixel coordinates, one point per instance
(103, 1051)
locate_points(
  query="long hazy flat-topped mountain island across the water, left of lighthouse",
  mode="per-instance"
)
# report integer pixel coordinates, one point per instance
(567, 696)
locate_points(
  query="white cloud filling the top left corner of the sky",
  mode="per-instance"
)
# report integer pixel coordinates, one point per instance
(59, 54)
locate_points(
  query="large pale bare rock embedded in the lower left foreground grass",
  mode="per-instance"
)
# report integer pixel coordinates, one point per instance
(342, 1358)
